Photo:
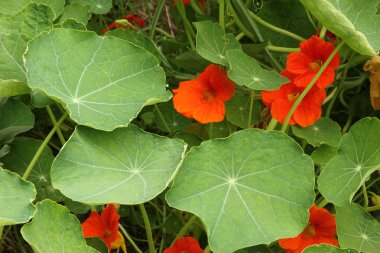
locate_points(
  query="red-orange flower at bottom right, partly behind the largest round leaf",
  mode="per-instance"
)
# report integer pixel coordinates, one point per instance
(320, 230)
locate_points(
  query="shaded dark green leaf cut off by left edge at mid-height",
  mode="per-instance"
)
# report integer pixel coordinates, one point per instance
(15, 118)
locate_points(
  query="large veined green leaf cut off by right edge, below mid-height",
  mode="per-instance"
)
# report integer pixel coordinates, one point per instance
(358, 156)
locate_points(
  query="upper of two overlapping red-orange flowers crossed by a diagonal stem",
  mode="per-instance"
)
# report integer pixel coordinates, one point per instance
(306, 64)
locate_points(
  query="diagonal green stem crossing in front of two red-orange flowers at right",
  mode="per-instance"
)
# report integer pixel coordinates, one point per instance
(308, 88)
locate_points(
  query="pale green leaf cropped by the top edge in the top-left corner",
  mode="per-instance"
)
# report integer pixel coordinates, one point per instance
(11, 7)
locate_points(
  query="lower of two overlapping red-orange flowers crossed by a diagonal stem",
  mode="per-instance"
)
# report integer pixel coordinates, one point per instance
(281, 100)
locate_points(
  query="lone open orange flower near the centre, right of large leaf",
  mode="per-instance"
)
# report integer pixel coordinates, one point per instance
(203, 98)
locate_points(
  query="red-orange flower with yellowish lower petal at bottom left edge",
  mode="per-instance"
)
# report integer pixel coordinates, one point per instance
(105, 226)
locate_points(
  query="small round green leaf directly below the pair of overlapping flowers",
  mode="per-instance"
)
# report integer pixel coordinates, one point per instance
(323, 131)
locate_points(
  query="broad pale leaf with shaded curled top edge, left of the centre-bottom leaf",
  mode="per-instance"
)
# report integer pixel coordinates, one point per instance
(131, 166)
